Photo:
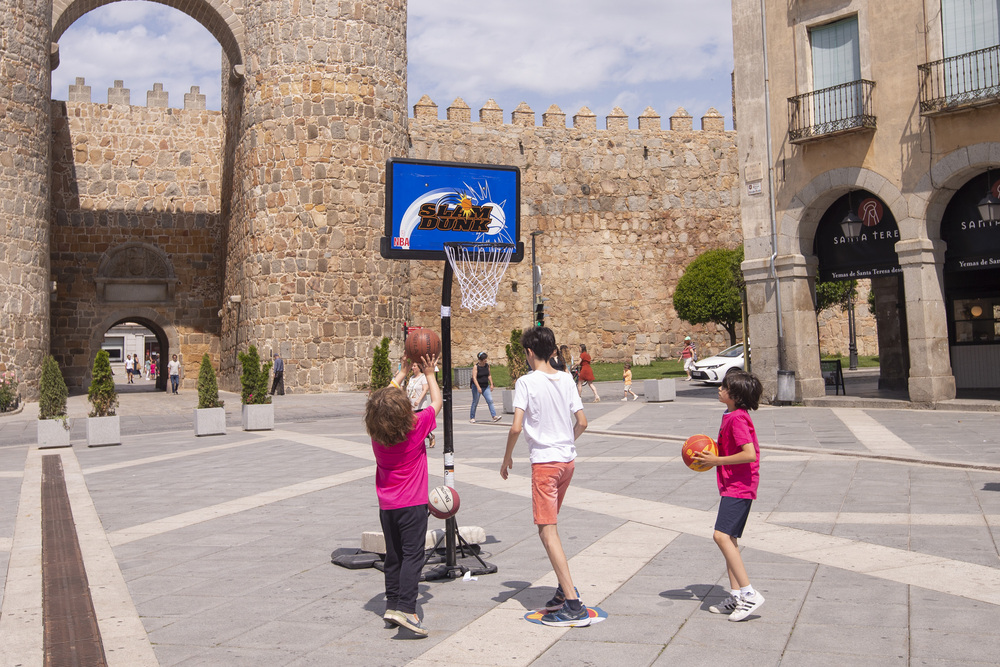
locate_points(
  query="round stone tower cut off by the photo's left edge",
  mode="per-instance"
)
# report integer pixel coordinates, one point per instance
(24, 188)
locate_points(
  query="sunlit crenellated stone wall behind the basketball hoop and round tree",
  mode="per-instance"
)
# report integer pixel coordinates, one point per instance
(622, 212)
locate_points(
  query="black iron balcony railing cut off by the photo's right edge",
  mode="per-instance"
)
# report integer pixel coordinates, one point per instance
(970, 79)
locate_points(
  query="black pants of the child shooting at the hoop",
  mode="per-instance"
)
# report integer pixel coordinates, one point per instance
(405, 531)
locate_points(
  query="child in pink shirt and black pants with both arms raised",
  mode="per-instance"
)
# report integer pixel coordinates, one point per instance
(398, 435)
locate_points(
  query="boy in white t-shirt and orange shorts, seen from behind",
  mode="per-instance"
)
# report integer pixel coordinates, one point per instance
(548, 409)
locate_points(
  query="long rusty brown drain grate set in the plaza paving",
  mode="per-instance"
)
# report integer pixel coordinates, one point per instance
(71, 635)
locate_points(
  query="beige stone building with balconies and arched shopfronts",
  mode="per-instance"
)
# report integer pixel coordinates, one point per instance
(897, 127)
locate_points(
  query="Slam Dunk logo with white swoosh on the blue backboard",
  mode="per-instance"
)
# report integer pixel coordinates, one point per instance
(468, 209)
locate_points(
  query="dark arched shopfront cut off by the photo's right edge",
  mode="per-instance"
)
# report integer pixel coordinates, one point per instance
(971, 228)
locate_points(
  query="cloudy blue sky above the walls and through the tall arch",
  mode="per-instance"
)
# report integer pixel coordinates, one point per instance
(572, 53)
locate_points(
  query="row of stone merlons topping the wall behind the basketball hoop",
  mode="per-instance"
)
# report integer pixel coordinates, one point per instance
(554, 117)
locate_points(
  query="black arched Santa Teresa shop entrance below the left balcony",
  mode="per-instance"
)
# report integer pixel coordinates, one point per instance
(856, 239)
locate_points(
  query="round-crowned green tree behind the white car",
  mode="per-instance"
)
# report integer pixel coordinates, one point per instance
(709, 290)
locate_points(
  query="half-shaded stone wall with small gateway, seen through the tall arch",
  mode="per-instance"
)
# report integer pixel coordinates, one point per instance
(136, 231)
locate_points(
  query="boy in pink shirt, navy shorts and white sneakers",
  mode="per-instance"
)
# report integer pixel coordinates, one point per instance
(738, 472)
